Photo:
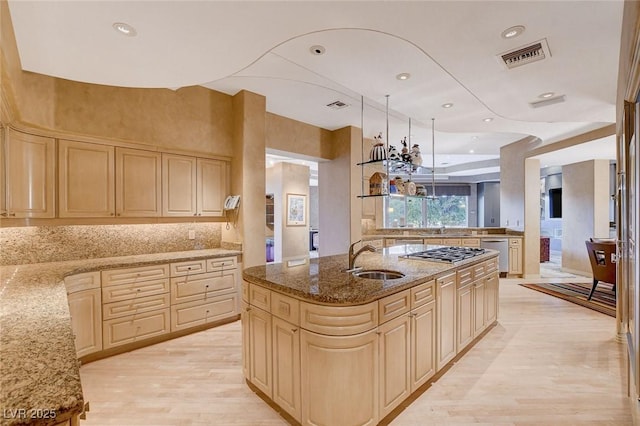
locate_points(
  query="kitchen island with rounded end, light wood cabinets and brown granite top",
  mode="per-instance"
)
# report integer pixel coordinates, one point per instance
(324, 346)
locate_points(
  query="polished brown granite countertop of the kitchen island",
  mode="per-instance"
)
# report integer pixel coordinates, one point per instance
(323, 280)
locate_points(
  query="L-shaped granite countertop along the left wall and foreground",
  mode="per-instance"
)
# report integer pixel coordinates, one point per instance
(39, 369)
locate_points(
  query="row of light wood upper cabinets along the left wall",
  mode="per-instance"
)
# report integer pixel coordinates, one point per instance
(42, 177)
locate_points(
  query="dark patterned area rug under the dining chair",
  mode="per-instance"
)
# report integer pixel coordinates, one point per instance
(603, 300)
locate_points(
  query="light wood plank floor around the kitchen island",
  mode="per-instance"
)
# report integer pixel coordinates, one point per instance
(547, 362)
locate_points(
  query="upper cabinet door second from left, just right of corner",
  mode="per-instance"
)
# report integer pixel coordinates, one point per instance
(86, 179)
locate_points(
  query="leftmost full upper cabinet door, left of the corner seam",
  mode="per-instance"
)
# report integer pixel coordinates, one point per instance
(30, 175)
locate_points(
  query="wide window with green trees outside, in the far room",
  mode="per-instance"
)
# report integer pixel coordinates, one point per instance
(449, 208)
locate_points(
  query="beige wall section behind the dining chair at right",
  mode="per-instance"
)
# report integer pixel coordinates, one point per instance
(585, 210)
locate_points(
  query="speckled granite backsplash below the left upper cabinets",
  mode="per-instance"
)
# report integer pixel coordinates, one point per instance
(38, 244)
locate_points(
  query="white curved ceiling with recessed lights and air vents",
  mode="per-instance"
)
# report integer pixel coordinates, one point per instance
(450, 48)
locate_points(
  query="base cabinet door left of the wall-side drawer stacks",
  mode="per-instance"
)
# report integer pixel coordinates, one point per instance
(86, 320)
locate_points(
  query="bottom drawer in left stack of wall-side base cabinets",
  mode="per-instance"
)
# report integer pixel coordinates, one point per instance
(134, 328)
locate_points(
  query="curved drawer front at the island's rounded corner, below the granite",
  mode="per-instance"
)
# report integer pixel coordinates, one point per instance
(338, 320)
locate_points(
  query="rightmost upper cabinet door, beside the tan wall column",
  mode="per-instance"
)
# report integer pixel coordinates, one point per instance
(212, 187)
